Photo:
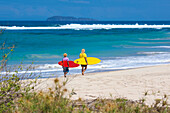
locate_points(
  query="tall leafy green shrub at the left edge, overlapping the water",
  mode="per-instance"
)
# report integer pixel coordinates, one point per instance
(12, 86)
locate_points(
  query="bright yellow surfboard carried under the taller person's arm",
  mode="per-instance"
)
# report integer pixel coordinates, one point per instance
(90, 60)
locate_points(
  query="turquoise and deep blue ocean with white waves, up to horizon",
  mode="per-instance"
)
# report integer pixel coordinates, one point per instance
(119, 44)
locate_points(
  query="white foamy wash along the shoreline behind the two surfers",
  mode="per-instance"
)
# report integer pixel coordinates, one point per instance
(115, 63)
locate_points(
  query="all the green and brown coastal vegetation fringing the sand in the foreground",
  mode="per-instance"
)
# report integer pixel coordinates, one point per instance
(17, 95)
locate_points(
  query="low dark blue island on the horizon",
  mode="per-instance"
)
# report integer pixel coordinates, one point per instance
(69, 18)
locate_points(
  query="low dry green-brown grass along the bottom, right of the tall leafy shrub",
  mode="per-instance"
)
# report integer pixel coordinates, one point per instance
(54, 101)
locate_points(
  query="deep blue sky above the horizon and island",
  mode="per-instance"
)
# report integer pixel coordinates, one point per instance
(106, 10)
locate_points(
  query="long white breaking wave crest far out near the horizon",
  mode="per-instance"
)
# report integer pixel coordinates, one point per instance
(86, 27)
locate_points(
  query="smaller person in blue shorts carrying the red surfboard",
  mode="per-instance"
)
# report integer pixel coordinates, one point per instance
(65, 65)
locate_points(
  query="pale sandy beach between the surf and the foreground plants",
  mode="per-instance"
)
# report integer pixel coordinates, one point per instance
(131, 84)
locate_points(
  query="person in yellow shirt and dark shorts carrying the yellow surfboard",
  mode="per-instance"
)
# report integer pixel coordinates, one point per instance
(83, 55)
